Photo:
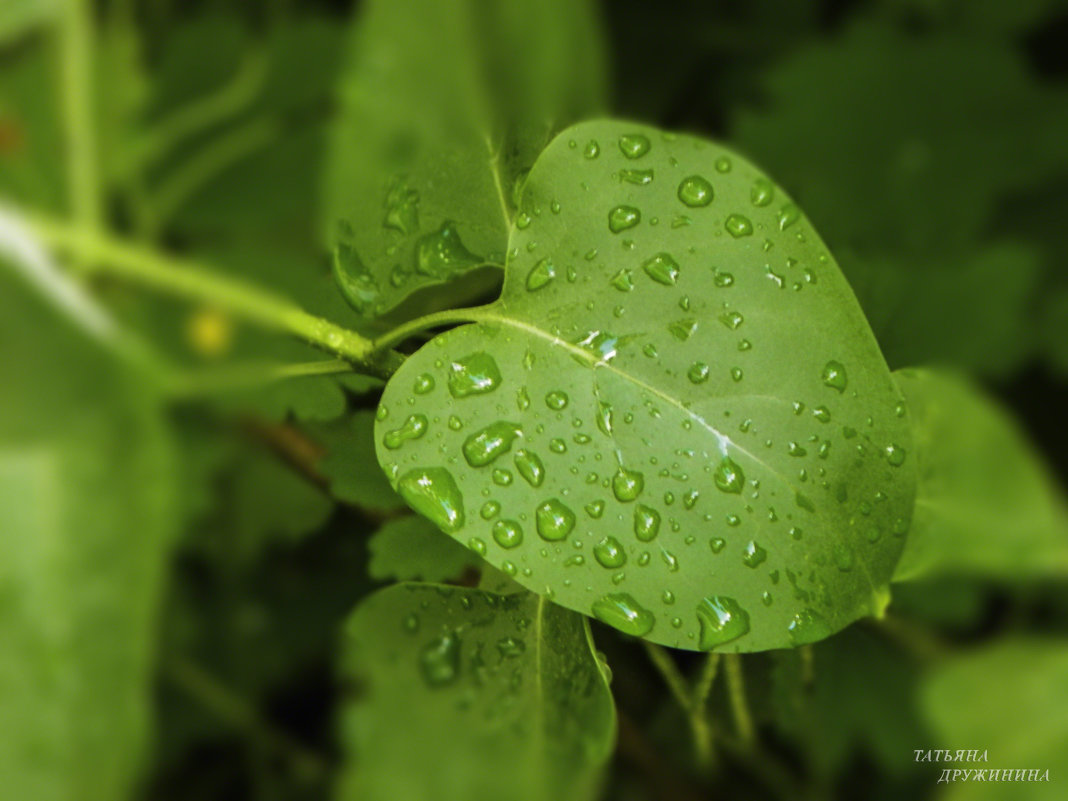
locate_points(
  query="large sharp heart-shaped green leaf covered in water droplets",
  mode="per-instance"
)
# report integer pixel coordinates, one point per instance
(676, 418)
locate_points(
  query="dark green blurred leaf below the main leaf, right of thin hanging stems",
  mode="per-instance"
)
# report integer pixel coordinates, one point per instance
(856, 696)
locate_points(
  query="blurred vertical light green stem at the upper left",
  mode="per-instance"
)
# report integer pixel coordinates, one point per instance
(78, 41)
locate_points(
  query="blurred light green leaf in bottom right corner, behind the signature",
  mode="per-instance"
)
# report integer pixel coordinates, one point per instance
(1011, 700)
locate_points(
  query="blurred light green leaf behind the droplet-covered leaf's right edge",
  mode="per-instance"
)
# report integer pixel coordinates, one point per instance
(986, 504)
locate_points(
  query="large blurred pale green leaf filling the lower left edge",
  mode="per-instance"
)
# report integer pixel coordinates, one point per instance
(87, 507)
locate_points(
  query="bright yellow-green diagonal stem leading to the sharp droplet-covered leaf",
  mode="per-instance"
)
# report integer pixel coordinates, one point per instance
(112, 257)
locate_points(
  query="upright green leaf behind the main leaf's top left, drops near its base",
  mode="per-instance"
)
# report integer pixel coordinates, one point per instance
(444, 108)
